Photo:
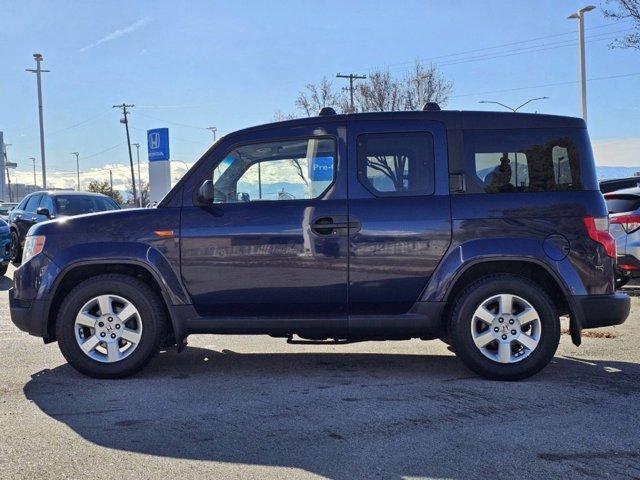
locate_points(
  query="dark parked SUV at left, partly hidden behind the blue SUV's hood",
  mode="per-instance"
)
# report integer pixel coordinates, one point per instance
(48, 205)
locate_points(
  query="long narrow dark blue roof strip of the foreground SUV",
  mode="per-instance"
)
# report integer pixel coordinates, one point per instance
(453, 119)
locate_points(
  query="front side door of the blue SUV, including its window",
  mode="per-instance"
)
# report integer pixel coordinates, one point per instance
(266, 245)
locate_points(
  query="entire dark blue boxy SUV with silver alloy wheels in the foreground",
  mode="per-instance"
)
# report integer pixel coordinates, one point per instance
(478, 228)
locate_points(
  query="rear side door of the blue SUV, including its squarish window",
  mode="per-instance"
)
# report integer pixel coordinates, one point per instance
(399, 195)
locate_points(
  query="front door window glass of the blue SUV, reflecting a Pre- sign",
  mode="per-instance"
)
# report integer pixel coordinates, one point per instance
(284, 170)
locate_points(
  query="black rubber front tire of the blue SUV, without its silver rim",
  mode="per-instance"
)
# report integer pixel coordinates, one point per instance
(141, 296)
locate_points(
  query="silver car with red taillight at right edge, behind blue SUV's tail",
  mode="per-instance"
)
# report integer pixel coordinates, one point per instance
(624, 217)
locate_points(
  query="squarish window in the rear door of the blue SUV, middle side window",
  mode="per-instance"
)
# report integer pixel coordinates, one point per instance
(396, 164)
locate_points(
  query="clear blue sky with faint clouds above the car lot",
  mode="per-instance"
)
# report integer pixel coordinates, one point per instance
(189, 65)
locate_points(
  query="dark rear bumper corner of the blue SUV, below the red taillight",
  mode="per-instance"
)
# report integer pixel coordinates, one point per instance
(602, 310)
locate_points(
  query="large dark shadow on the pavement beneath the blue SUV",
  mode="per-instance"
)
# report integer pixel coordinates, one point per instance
(348, 416)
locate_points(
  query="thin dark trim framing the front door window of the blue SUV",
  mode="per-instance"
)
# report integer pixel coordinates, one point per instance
(322, 196)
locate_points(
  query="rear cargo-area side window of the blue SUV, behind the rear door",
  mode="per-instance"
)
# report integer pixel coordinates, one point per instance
(528, 160)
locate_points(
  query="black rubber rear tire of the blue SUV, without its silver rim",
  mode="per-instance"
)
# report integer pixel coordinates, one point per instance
(462, 315)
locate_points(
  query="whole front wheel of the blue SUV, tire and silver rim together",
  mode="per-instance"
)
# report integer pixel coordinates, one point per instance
(110, 326)
